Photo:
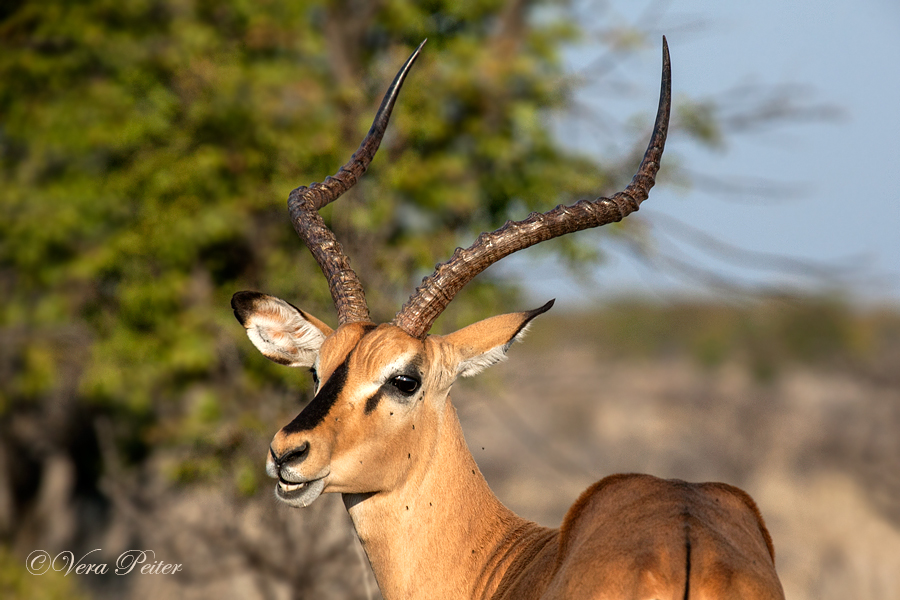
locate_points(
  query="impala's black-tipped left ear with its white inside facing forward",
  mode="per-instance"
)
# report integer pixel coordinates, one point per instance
(280, 330)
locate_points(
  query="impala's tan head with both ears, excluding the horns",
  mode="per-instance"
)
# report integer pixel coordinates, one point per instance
(380, 393)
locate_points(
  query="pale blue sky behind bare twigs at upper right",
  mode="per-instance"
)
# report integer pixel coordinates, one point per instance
(843, 212)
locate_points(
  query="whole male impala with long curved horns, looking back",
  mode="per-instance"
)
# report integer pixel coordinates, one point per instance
(381, 430)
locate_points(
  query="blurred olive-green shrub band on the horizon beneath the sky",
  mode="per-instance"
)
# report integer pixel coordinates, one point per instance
(767, 337)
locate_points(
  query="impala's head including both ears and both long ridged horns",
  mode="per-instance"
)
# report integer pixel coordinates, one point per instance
(382, 390)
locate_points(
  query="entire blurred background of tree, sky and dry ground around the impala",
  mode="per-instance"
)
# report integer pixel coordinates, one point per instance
(743, 327)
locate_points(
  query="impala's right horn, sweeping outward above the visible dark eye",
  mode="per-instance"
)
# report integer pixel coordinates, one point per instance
(437, 290)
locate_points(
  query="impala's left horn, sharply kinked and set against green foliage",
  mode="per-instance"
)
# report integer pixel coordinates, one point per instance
(305, 202)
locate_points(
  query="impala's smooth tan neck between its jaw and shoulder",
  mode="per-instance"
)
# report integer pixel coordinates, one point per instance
(443, 533)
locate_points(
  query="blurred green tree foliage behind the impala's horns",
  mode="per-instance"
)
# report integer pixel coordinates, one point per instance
(147, 148)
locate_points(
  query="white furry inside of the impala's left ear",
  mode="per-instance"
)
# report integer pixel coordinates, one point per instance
(282, 334)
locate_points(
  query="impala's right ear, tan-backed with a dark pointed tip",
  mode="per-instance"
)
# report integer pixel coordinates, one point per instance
(485, 343)
